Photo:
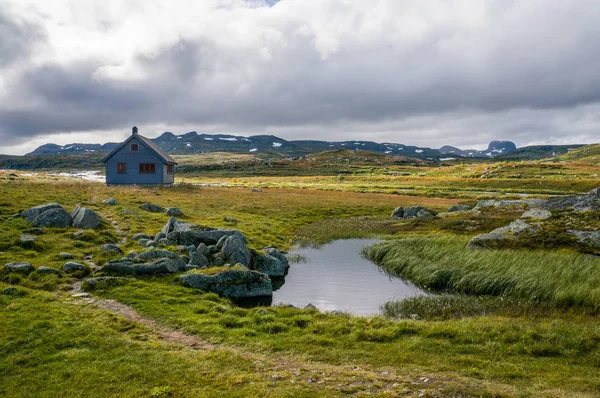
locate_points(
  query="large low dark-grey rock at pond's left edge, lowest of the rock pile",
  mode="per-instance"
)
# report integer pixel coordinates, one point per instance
(233, 284)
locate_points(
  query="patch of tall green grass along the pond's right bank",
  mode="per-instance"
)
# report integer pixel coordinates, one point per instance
(561, 278)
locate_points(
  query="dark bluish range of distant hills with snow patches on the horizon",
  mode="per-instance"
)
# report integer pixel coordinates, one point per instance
(194, 143)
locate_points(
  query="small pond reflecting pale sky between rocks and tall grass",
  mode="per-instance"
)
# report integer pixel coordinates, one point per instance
(336, 277)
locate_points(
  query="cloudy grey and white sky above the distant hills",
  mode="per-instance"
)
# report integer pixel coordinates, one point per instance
(421, 72)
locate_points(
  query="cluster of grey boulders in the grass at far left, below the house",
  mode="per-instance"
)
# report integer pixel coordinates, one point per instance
(53, 215)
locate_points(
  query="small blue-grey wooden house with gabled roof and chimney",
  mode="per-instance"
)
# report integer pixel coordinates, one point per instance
(139, 161)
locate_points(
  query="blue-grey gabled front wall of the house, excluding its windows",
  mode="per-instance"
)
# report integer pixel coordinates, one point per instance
(132, 160)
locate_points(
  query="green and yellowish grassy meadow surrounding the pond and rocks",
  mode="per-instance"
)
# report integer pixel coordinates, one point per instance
(512, 323)
